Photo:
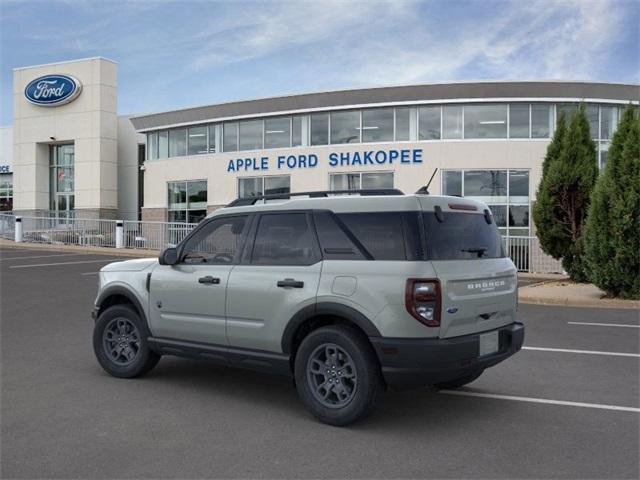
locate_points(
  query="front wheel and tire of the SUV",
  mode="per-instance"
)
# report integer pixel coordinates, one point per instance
(131, 358)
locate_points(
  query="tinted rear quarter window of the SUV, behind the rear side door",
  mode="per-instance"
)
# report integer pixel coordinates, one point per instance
(381, 234)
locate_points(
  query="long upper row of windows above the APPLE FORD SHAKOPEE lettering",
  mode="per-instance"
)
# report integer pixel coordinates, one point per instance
(383, 124)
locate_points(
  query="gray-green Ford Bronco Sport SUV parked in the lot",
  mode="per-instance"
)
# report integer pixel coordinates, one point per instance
(346, 294)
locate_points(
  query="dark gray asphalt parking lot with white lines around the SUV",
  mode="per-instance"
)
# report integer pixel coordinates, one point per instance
(565, 407)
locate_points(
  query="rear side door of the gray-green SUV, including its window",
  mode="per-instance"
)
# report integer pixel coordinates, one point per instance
(278, 276)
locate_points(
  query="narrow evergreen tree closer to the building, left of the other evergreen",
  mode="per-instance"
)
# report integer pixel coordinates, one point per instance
(563, 197)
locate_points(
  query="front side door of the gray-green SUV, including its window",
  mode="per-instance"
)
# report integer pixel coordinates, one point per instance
(187, 300)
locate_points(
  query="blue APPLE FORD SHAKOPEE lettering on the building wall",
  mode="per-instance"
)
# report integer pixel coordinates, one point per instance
(335, 159)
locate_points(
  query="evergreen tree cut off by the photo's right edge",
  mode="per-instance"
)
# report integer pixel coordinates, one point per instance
(612, 232)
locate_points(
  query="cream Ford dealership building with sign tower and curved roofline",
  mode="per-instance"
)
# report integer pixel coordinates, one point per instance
(69, 151)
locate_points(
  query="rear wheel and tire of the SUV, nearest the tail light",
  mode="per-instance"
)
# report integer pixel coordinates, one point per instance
(338, 363)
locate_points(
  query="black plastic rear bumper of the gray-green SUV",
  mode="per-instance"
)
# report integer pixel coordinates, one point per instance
(416, 362)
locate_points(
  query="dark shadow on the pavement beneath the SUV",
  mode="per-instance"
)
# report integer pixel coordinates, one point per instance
(397, 410)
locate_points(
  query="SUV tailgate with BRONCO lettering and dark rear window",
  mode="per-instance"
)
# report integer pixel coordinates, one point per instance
(478, 282)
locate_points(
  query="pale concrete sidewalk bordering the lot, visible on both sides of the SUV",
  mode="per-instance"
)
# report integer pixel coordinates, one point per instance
(545, 289)
